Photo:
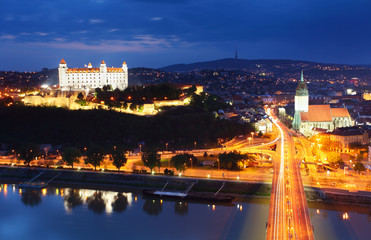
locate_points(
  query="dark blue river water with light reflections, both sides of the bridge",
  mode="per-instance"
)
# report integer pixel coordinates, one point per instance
(64, 213)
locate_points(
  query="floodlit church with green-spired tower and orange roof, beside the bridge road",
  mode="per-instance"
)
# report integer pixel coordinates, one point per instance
(307, 117)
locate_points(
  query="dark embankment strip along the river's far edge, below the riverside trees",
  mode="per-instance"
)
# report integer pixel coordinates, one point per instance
(137, 182)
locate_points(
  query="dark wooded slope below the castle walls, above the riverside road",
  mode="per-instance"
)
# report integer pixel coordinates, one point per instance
(180, 128)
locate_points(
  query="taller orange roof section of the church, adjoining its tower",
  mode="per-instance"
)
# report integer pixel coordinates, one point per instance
(317, 113)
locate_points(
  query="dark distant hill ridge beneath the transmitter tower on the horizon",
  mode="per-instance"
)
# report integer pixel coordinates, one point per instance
(232, 64)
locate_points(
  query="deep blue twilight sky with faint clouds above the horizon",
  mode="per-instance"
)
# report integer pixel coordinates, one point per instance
(155, 33)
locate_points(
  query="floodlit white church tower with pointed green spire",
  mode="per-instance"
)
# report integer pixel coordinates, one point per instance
(301, 102)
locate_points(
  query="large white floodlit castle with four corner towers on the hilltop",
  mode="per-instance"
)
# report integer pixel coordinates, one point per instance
(84, 79)
